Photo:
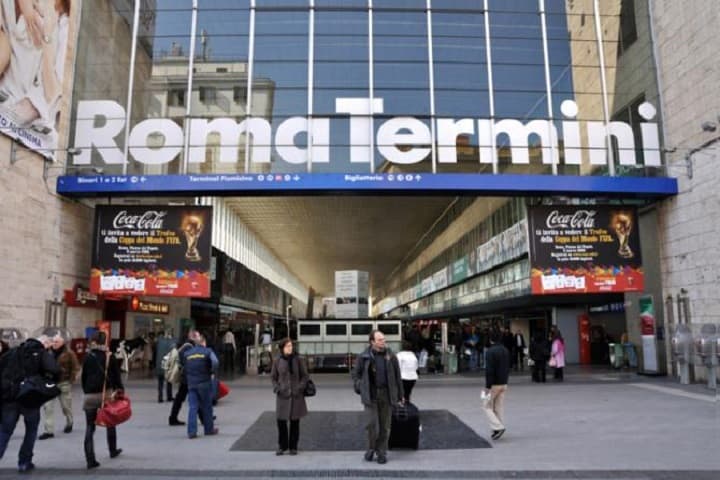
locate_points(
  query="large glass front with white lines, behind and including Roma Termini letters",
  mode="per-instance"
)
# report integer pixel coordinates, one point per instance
(458, 86)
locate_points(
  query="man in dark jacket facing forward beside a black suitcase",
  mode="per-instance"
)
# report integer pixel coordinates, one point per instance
(376, 378)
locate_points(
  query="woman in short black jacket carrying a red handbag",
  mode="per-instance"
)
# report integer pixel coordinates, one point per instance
(100, 375)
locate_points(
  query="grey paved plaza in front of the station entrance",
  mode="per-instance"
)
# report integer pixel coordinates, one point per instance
(597, 424)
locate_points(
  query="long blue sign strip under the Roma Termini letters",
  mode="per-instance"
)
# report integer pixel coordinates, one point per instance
(372, 184)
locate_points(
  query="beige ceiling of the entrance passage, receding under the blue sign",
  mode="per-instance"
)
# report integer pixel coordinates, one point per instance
(315, 236)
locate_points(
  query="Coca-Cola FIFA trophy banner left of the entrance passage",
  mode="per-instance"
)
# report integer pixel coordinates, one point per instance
(152, 250)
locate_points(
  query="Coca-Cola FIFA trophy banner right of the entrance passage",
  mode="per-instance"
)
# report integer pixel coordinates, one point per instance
(584, 249)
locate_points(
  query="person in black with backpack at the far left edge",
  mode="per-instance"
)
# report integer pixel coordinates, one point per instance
(29, 359)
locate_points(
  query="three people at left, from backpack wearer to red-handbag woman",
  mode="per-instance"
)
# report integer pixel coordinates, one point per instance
(51, 359)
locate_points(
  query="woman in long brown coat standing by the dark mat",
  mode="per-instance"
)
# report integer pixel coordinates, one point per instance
(289, 376)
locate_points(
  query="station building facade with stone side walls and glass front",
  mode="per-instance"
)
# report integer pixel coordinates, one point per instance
(551, 88)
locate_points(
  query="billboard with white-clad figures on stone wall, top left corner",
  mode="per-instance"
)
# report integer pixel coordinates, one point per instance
(33, 47)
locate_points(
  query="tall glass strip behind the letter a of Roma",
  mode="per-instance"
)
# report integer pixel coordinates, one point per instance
(281, 62)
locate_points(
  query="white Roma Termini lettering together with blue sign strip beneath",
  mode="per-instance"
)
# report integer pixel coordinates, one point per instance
(402, 140)
